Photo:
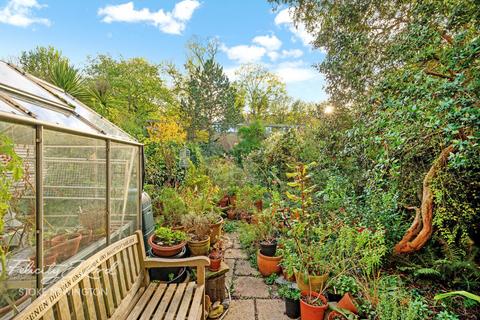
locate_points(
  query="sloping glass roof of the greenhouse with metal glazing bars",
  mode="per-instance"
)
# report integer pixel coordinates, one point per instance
(25, 97)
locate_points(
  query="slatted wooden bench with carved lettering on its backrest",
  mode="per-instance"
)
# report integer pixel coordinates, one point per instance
(114, 284)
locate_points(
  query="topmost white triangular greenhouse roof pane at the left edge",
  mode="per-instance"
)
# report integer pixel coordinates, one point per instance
(15, 79)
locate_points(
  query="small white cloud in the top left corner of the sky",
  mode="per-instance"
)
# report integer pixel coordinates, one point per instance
(19, 13)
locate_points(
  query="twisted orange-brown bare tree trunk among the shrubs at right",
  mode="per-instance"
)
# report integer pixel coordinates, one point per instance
(421, 229)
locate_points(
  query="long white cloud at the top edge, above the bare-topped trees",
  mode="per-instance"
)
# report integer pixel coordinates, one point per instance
(169, 22)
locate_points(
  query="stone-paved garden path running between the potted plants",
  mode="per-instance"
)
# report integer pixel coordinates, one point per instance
(252, 299)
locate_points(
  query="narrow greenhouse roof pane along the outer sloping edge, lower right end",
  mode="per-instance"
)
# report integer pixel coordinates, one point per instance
(91, 116)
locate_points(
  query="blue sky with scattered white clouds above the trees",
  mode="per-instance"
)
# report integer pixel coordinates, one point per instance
(249, 31)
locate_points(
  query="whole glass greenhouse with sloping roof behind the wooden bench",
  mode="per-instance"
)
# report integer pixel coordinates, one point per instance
(80, 184)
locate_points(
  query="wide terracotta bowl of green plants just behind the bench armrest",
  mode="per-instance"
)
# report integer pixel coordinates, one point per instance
(166, 242)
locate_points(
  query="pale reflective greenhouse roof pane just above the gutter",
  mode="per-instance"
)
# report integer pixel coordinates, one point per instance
(62, 118)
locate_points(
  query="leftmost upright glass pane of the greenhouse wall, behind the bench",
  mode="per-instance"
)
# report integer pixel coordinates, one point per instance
(18, 236)
